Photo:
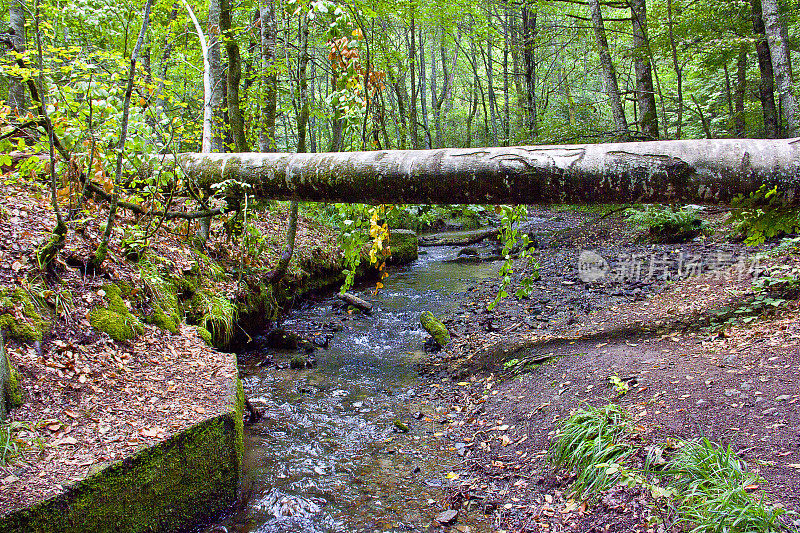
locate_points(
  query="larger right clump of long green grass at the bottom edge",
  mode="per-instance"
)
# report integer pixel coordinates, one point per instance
(713, 495)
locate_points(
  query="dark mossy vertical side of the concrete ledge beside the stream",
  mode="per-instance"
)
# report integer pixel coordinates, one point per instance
(190, 477)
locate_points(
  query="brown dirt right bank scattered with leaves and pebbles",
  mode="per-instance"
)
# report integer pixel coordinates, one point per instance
(689, 365)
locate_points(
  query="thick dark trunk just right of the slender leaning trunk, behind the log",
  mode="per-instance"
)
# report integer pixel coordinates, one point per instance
(645, 95)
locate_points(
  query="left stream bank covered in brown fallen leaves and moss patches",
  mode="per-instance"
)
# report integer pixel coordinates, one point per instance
(90, 400)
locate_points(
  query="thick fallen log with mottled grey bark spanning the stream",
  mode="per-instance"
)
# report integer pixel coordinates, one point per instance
(695, 171)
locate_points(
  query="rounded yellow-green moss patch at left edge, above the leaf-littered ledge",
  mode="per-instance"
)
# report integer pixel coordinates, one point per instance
(34, 321)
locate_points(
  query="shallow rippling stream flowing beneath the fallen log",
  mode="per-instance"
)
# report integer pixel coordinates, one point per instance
(328, 456)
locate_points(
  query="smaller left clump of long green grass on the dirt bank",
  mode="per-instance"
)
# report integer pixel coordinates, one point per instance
(593, 436)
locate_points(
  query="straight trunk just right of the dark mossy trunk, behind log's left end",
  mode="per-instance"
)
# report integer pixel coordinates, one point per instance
(266, 138)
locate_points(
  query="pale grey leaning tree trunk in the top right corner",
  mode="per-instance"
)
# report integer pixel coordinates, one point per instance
(778, 40)
